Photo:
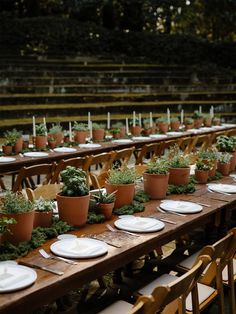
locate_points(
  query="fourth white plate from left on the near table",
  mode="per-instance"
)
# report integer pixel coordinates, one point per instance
(181, 206)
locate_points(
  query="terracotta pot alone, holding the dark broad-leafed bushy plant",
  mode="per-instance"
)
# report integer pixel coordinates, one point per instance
(73, 210)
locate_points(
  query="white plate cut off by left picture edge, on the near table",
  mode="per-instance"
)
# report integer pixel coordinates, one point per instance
(14, 277)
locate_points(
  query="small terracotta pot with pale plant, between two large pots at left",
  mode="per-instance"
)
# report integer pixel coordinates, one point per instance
(43, 212)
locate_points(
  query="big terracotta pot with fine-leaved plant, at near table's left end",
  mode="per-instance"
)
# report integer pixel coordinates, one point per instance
(16, 206)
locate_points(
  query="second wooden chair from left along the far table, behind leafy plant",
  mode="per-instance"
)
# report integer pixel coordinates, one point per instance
(77, 162)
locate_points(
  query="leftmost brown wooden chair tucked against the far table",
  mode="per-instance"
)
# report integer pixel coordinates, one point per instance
(31, 176)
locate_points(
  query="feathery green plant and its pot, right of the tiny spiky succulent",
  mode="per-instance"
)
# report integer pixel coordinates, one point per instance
(122, 180)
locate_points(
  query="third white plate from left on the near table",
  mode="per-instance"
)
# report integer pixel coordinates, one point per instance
(139, 224)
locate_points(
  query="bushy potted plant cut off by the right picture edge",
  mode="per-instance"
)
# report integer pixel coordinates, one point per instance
(227, 144)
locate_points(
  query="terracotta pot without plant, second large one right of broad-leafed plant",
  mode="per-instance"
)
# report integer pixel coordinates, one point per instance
(155, 185)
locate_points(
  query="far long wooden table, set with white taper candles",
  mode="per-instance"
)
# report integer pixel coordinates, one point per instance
(21, 160)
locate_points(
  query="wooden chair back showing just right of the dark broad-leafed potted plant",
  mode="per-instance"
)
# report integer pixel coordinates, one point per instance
(97, 167)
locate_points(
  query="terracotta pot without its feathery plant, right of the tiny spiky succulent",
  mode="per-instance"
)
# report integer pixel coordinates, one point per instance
(124, 194)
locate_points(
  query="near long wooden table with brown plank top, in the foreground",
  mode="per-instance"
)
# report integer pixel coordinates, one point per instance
(49, 287)
